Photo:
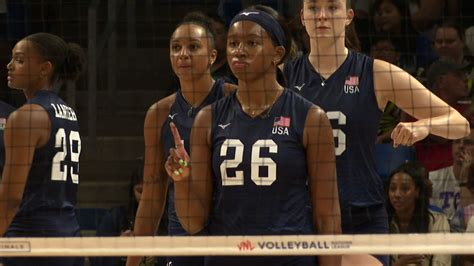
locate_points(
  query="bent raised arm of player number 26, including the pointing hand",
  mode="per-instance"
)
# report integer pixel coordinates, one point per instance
(193, 182)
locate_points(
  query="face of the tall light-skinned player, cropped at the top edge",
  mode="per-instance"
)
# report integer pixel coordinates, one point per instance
(325, 18)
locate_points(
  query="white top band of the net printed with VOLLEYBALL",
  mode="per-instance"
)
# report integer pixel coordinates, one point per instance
(240, 245)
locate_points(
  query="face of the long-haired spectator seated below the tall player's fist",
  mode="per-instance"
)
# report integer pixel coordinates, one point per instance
(402, 192)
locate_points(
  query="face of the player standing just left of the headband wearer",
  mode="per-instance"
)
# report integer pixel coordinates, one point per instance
(191, 53)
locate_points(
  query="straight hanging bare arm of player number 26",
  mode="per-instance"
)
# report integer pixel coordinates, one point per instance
(321, 160)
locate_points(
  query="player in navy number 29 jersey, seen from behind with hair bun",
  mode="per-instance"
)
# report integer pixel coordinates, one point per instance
(42, 146)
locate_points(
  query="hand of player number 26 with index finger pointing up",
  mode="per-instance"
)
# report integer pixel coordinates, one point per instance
(177, 164)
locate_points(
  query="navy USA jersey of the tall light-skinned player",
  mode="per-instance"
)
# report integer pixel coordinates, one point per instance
(349, 100)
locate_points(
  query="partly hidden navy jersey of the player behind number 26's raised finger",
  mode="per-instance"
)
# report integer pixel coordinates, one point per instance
(182, 114)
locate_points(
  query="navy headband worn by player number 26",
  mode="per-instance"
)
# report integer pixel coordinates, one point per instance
(271, 26)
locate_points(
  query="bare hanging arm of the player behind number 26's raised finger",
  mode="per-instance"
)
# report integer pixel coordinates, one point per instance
(155, 178)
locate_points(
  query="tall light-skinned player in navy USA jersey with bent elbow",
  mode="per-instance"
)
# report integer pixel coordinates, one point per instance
(353, 89)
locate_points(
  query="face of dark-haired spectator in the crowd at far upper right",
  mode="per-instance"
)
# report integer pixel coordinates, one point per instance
(447, 43)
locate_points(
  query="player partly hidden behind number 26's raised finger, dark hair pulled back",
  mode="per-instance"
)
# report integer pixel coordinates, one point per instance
(192, 53)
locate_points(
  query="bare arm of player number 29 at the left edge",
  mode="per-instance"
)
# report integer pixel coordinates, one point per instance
(27, 128)
